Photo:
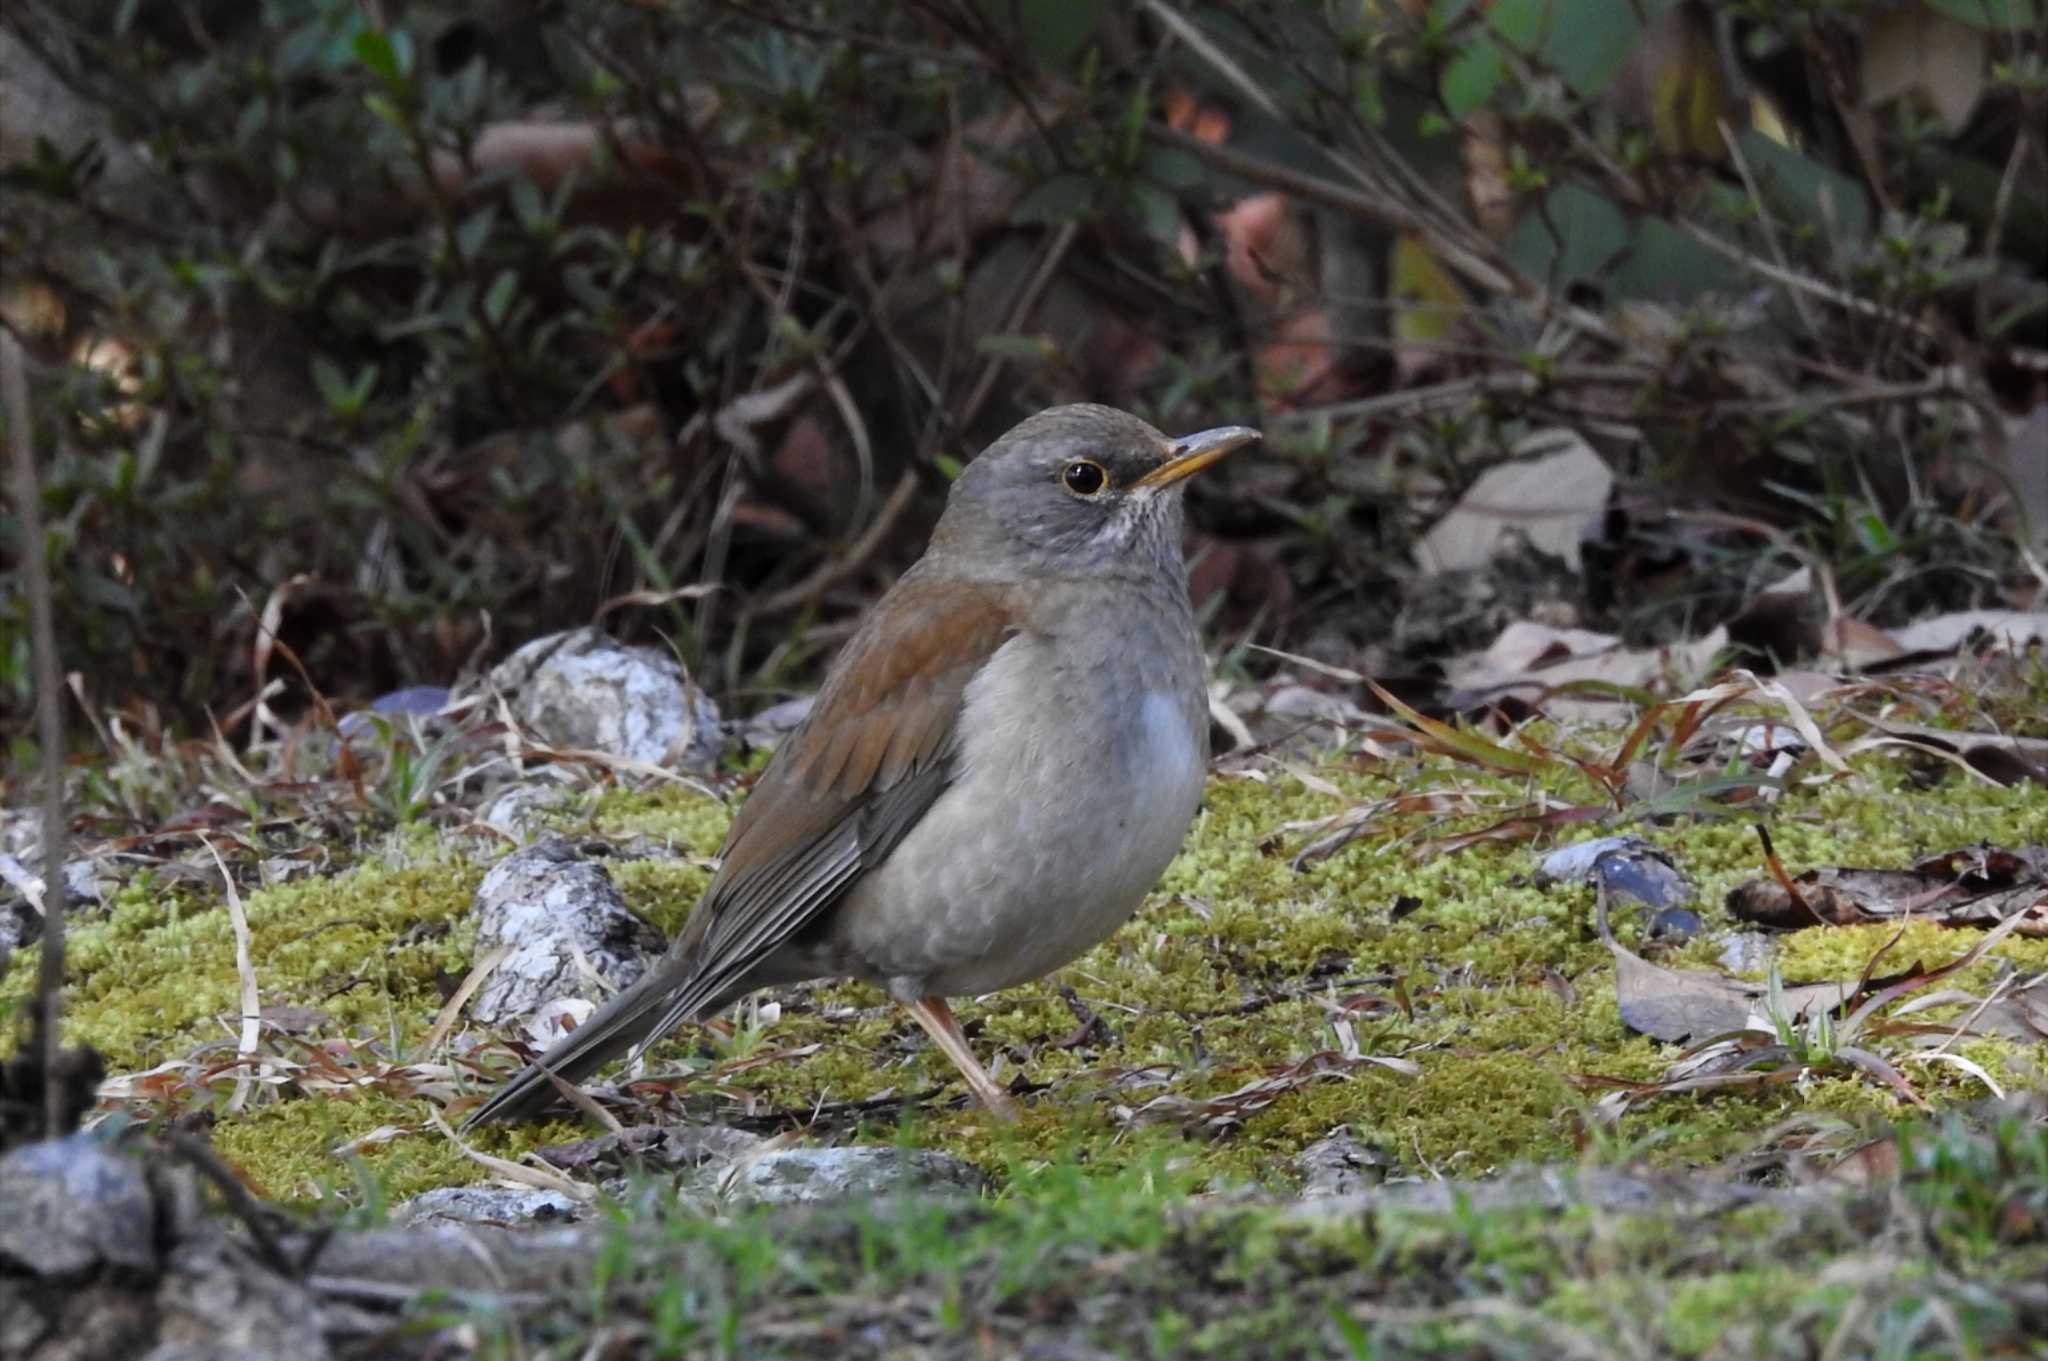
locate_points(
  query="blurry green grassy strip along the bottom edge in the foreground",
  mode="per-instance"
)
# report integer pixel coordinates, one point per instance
(1127, 1264)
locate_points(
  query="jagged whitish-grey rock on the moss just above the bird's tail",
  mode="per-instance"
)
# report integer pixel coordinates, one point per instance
(562, 920)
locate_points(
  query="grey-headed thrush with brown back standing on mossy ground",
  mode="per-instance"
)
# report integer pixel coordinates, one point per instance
(998, 766)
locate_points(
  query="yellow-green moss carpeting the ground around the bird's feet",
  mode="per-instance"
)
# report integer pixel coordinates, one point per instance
(1457, 963)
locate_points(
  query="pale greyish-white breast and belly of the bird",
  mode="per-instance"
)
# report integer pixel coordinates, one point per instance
(1048, 842)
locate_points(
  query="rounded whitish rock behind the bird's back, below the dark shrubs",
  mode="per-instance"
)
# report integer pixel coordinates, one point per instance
(593, 693)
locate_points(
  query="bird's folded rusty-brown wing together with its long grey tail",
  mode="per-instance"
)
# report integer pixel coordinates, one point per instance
(835, 801)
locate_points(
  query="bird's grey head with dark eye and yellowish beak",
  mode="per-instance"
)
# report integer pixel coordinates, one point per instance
(1076, 490)
